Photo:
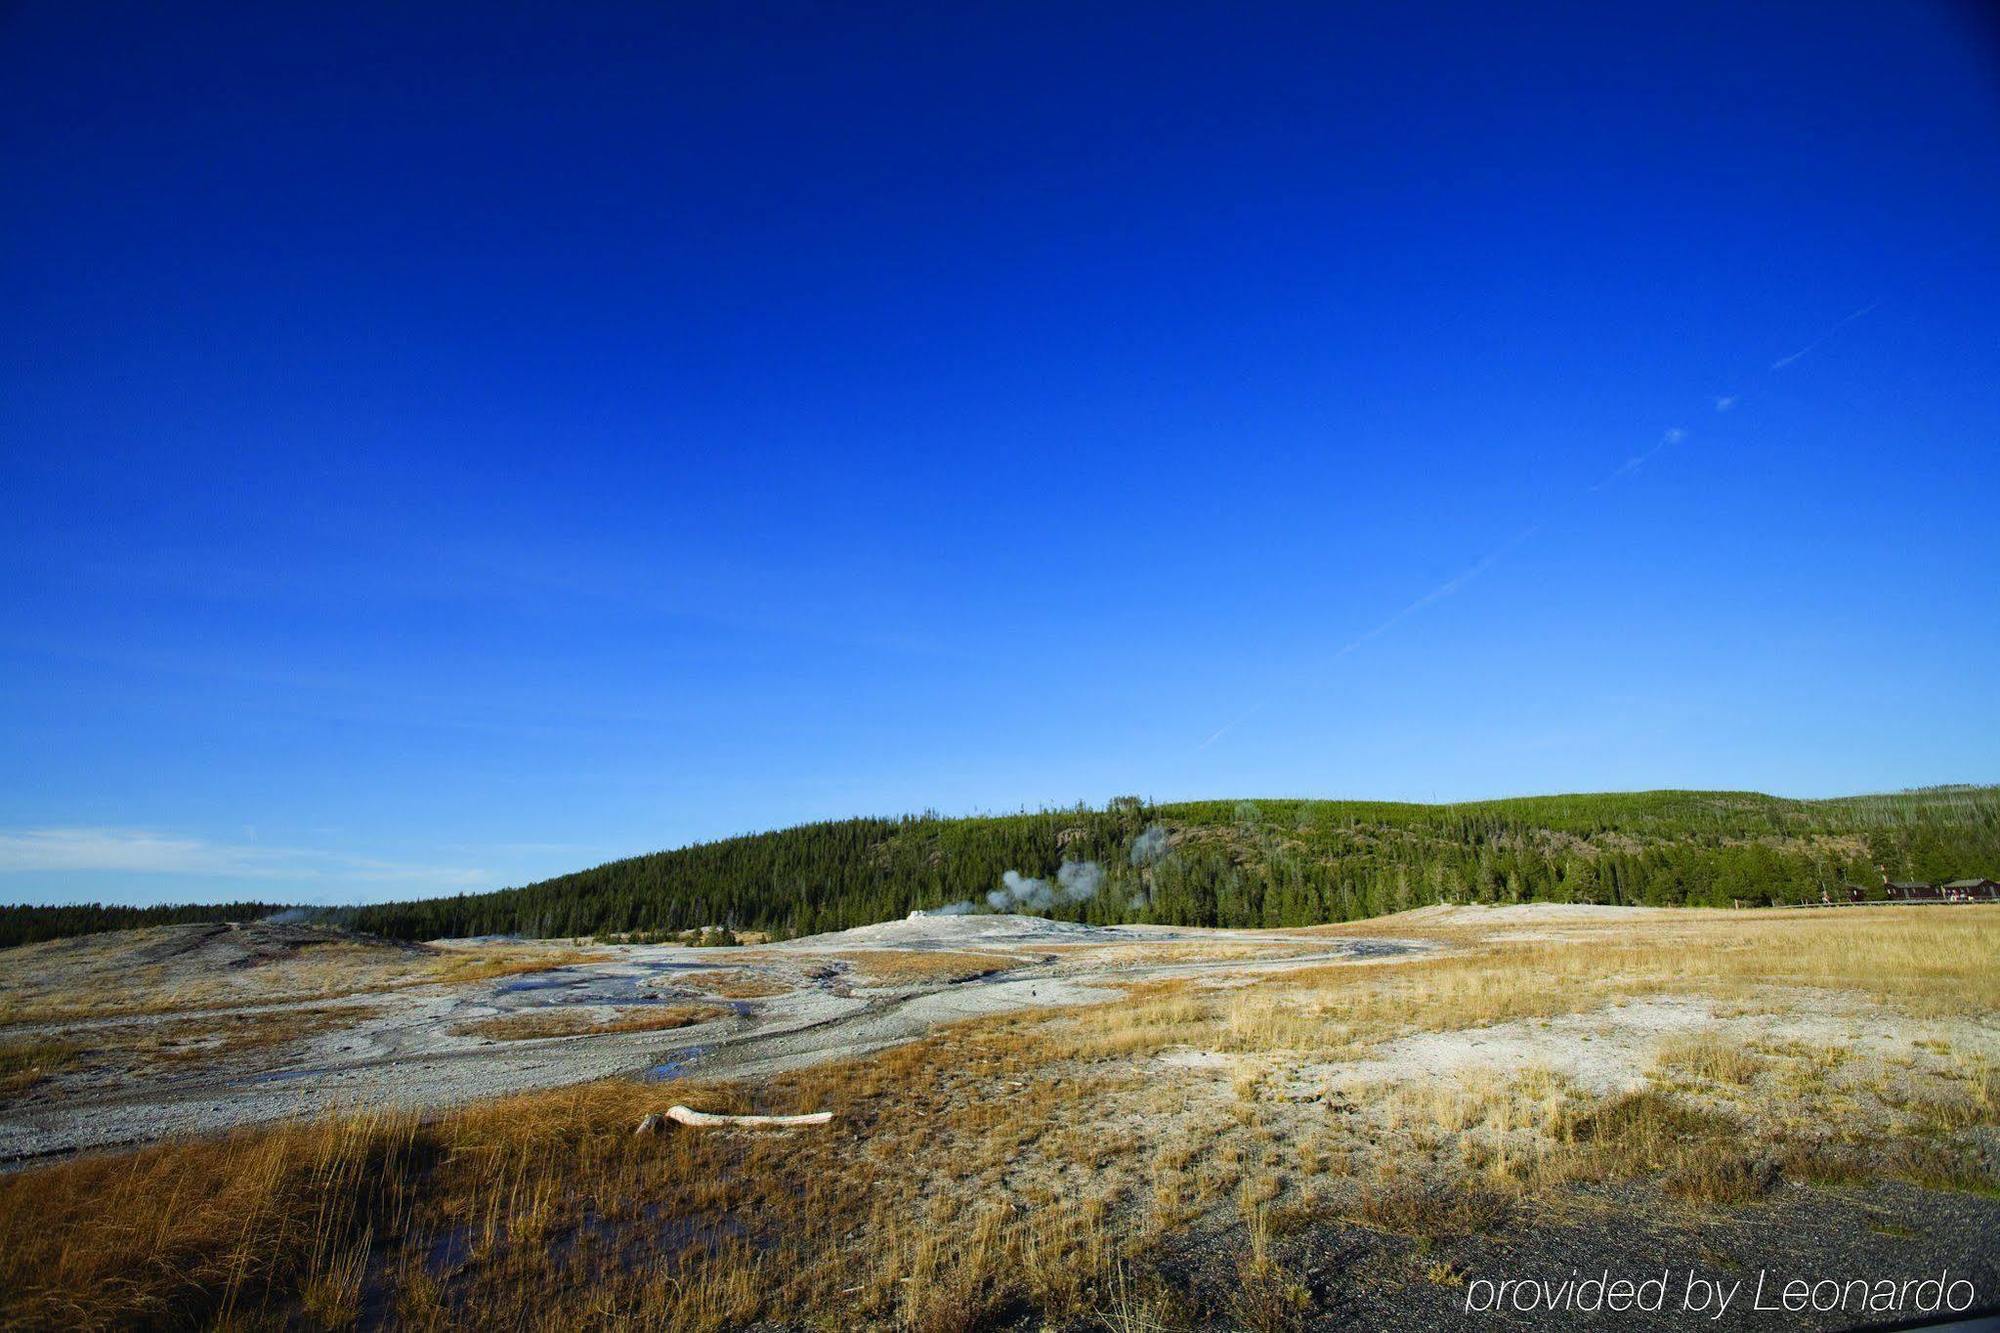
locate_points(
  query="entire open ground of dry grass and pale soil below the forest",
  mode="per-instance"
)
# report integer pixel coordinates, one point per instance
(1033, 1124)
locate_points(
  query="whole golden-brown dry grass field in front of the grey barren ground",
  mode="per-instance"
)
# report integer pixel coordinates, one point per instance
(1169, 1160)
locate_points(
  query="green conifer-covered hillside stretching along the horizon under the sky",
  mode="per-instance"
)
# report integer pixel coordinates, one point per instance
(1233, 864)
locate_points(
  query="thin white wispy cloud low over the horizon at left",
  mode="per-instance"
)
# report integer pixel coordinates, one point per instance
(143, 852)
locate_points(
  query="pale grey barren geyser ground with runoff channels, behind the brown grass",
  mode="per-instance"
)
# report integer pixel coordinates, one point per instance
(205, 1028)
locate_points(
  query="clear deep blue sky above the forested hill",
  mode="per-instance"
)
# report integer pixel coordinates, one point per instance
(445, 449)
